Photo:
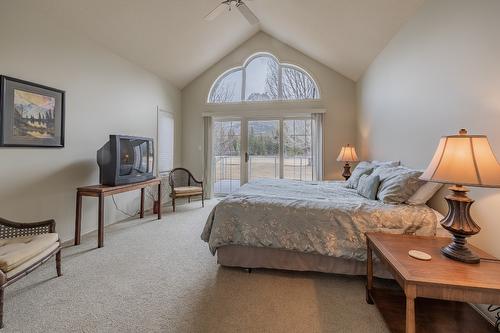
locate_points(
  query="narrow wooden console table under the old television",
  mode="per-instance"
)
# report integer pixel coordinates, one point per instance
(102, 191)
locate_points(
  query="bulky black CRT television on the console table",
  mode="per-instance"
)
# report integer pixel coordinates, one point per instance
(125, 160)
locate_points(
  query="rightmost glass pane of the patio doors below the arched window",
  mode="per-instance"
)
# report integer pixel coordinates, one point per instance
(297, 149)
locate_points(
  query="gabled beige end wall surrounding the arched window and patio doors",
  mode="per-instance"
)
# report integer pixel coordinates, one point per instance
(337, 97)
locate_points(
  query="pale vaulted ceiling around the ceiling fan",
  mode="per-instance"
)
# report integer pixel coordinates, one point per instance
(171, 39)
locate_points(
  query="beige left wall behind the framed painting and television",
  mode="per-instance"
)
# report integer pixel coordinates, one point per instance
(105, 94)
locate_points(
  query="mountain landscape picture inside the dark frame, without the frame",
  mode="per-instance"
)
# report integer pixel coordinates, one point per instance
(34, 115)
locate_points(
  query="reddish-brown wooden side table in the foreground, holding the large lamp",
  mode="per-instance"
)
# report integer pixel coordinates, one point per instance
(441, 278)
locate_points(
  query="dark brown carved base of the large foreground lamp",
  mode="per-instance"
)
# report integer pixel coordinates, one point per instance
(460, 224)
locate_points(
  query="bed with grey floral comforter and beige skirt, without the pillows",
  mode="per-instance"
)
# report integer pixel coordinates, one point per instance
(306, 226)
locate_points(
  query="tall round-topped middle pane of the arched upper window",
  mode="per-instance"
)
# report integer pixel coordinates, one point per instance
(261, 79)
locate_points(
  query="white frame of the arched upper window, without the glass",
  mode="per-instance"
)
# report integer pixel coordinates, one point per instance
(280, 81)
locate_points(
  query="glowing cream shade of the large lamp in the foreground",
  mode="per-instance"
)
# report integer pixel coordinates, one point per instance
(464, 160)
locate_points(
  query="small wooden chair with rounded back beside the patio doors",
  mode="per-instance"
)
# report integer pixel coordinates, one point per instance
(183, 184)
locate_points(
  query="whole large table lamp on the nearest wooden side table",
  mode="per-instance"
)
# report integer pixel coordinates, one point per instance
(462, 160)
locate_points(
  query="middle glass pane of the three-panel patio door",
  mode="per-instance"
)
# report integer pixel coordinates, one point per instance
(263, 156)
